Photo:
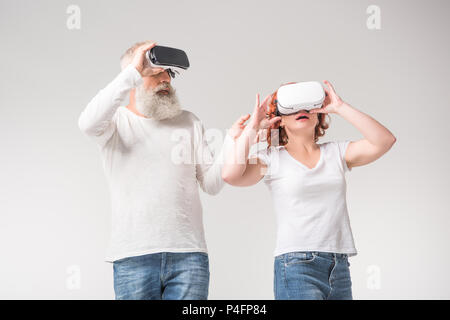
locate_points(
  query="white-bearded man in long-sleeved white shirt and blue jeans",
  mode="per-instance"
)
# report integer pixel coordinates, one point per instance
(157, 241)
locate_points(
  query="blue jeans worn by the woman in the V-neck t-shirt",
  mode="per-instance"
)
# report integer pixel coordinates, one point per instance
(312, 275)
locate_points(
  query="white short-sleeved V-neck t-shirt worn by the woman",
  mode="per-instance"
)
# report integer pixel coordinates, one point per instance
(310, 204)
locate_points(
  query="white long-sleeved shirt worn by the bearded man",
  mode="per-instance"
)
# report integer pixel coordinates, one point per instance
(153, 170)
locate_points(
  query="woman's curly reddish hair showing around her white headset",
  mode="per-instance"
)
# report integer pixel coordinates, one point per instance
(278, 132)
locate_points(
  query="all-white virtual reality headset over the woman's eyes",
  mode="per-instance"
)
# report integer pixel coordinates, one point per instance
(292, 98)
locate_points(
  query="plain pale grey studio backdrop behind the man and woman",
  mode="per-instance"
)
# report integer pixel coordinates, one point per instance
(388, 59)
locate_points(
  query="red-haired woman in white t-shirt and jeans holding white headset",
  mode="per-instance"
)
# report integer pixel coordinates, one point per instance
(308, 187)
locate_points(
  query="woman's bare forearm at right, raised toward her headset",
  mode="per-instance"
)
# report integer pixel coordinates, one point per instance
(370, 128)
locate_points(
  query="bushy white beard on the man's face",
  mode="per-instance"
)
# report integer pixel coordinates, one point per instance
(155, 105)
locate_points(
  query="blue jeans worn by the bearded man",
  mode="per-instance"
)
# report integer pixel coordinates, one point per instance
(162, 276)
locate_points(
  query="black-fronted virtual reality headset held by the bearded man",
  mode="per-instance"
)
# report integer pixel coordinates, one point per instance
(171, 59)
